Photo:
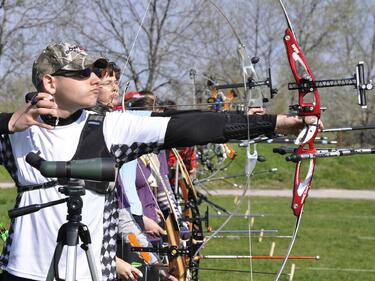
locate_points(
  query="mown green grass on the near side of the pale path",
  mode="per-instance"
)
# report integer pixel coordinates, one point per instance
(341, 232)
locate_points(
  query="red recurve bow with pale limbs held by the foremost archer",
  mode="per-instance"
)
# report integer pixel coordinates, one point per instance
(301, 72)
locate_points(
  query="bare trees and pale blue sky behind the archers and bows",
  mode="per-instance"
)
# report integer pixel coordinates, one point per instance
(158, 43)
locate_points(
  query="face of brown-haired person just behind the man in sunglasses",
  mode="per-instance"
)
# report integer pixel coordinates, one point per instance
(109, 91)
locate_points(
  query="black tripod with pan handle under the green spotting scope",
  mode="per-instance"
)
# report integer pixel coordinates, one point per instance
(69, 233)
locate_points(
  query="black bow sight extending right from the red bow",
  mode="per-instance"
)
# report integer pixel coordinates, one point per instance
(358, 81)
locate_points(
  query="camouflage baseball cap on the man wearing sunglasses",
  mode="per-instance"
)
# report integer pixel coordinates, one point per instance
(65, 56)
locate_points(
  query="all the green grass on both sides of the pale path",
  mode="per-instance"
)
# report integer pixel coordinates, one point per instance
(341, 232)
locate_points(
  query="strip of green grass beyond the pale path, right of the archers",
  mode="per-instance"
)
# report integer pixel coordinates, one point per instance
(353, 172)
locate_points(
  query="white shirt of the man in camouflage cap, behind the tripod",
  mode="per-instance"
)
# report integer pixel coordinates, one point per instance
(29, 252)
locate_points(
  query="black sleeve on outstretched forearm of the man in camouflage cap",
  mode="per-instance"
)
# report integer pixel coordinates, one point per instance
(198, 128)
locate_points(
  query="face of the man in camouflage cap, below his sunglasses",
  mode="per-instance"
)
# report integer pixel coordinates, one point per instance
(73, 93)
